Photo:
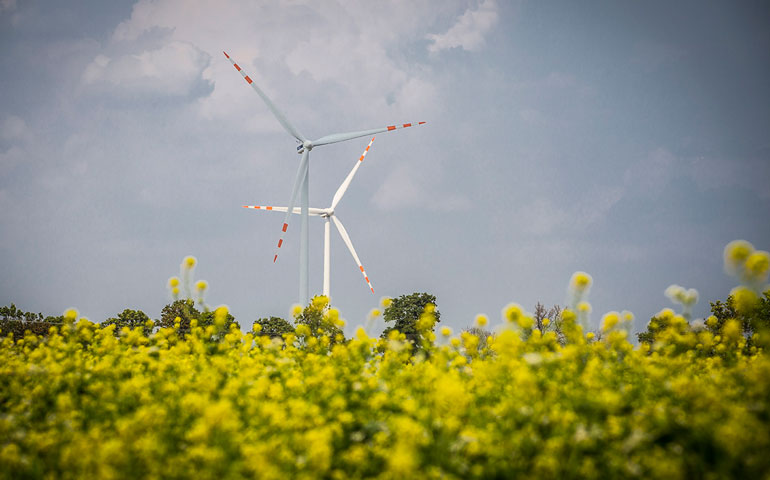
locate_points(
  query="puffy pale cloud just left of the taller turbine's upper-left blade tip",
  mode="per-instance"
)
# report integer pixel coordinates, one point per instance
(172, 70)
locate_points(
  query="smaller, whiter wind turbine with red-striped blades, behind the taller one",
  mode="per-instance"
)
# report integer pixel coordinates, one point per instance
(328, 215)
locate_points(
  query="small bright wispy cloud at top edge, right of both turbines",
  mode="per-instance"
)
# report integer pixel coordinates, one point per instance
(469, 30)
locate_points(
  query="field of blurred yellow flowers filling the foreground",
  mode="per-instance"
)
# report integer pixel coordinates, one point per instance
(86, 403)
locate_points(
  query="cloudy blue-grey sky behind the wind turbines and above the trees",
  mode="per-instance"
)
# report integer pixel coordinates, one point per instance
(629, 140)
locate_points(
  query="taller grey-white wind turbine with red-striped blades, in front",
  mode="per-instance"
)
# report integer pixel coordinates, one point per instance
(302, 179)
